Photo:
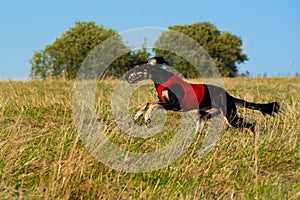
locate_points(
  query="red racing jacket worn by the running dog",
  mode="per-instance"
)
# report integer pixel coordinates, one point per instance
(193, 93)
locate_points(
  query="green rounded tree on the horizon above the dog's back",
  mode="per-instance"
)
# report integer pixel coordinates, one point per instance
(223, 47)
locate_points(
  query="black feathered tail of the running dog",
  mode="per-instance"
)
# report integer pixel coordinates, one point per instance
(264, 108)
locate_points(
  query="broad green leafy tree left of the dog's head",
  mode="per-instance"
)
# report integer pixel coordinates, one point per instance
(65, 55)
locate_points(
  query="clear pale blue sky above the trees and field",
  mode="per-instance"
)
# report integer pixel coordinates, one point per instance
(270, 29)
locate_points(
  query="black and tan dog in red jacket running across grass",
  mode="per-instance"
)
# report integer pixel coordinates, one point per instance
(178, 95)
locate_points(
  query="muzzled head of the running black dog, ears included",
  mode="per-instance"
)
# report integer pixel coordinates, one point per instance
(143, 70)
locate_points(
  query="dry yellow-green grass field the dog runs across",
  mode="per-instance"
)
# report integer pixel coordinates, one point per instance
(42, 157)
